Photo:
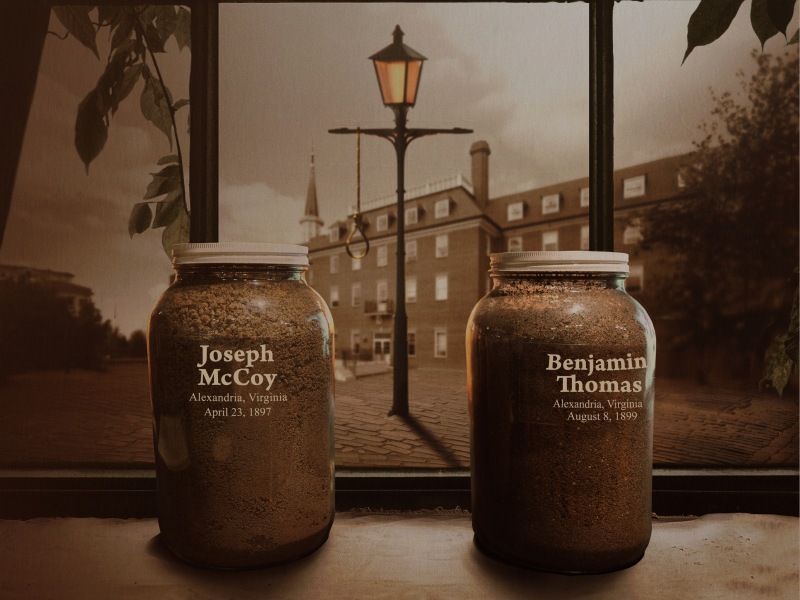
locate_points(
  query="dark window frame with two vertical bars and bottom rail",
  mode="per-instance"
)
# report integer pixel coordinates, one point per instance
(128, 490)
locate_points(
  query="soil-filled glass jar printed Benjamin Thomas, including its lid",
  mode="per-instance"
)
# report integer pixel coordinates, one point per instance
(560, 367)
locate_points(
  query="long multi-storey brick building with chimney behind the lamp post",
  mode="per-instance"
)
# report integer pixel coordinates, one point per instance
(451, 228)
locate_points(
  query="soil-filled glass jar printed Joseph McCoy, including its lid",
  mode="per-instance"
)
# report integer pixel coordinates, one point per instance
(241, 380)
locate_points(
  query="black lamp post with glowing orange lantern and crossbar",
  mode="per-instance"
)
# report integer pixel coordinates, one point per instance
(398, 69)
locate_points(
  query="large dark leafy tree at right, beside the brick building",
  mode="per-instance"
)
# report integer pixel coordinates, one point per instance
(734, 240)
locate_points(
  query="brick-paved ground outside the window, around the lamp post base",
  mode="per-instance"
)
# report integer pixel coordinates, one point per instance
(90, 417)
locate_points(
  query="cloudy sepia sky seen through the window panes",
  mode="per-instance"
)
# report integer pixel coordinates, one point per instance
(515, 73)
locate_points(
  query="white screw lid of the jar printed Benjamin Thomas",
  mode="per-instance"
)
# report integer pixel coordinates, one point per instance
(571, 261)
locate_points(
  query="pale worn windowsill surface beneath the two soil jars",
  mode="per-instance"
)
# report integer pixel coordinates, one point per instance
(397, 556)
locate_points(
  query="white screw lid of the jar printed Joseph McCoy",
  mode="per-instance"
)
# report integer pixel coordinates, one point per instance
(239, 253)
